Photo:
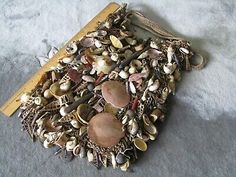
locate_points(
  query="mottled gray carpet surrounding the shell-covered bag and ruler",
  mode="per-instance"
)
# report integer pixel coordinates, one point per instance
(198, 139)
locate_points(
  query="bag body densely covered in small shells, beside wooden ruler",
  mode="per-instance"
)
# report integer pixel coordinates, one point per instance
(105, 98)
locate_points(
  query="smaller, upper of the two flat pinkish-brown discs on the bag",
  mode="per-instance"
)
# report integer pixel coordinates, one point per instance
(114, 92)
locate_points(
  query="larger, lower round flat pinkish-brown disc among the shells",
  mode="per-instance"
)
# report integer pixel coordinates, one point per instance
(105, 130)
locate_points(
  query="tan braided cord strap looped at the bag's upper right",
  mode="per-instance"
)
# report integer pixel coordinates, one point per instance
(157, 30)
